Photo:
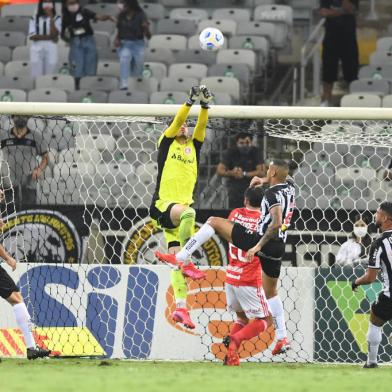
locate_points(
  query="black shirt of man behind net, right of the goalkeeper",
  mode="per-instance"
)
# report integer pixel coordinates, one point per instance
(247, 161)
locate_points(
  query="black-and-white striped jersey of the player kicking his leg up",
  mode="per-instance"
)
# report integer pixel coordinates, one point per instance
(283, 195)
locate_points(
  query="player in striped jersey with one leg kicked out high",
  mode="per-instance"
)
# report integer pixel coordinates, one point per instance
(268, 243)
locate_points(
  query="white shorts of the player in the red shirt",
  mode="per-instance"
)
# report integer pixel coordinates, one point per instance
(247, 299)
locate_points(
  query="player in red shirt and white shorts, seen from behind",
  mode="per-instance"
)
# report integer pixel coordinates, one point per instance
(244, 293)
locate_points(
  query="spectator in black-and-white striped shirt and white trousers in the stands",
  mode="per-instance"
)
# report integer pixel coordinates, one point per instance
(44, 29)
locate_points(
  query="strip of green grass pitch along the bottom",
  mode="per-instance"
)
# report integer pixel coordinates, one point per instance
(84, 375)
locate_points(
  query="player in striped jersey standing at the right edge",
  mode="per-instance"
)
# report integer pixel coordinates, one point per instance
(380, 257)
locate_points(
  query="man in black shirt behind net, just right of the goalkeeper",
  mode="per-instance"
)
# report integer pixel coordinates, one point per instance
(239, 165)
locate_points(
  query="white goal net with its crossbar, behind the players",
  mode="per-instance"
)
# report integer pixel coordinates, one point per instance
(86, 243)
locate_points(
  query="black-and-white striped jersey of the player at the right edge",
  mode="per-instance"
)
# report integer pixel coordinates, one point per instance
(380, 256)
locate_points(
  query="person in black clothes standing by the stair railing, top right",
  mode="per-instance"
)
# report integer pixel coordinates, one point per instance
(340, 43)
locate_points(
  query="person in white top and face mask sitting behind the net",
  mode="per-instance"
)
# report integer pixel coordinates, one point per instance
(355, 248)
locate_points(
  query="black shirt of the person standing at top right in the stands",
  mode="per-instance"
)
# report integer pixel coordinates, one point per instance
(344, 24)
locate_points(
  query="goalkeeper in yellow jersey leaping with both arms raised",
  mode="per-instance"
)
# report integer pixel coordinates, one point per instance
(178, 160)
